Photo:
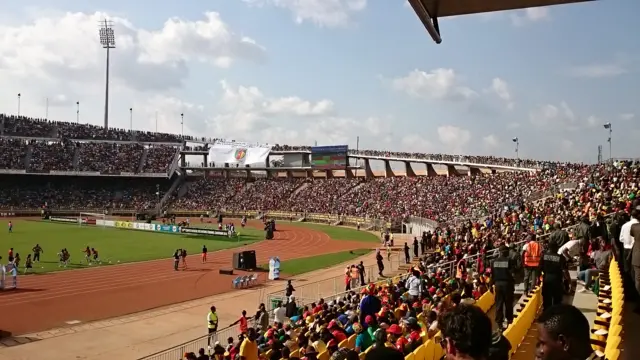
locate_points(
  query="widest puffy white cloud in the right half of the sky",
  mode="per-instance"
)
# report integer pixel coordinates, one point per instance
(441, 84)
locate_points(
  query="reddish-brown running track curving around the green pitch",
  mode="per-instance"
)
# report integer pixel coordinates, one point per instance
(46, 301)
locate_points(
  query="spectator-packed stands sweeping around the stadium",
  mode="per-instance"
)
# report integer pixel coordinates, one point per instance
(473, 215)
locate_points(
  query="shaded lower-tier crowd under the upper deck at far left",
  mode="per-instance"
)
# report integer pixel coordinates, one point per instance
(65, 192)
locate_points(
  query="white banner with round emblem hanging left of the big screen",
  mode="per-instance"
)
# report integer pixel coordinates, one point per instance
(238, 153)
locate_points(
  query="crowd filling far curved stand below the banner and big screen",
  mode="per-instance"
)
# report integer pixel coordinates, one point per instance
(440, 198)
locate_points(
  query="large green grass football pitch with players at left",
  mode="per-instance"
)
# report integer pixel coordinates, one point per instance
(115, 245)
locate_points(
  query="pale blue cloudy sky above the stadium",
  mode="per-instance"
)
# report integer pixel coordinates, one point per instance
(336, 69)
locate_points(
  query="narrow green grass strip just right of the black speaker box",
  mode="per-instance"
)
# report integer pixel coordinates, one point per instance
(312, 263)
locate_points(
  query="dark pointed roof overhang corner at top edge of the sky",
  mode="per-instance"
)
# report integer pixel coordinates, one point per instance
(429, 11)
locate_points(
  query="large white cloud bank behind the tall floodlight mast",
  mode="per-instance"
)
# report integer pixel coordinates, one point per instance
(64, 48)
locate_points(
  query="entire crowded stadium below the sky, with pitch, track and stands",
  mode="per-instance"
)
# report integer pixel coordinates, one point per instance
(126, 244)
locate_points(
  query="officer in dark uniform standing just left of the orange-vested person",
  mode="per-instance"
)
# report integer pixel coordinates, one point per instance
(502, 278)
